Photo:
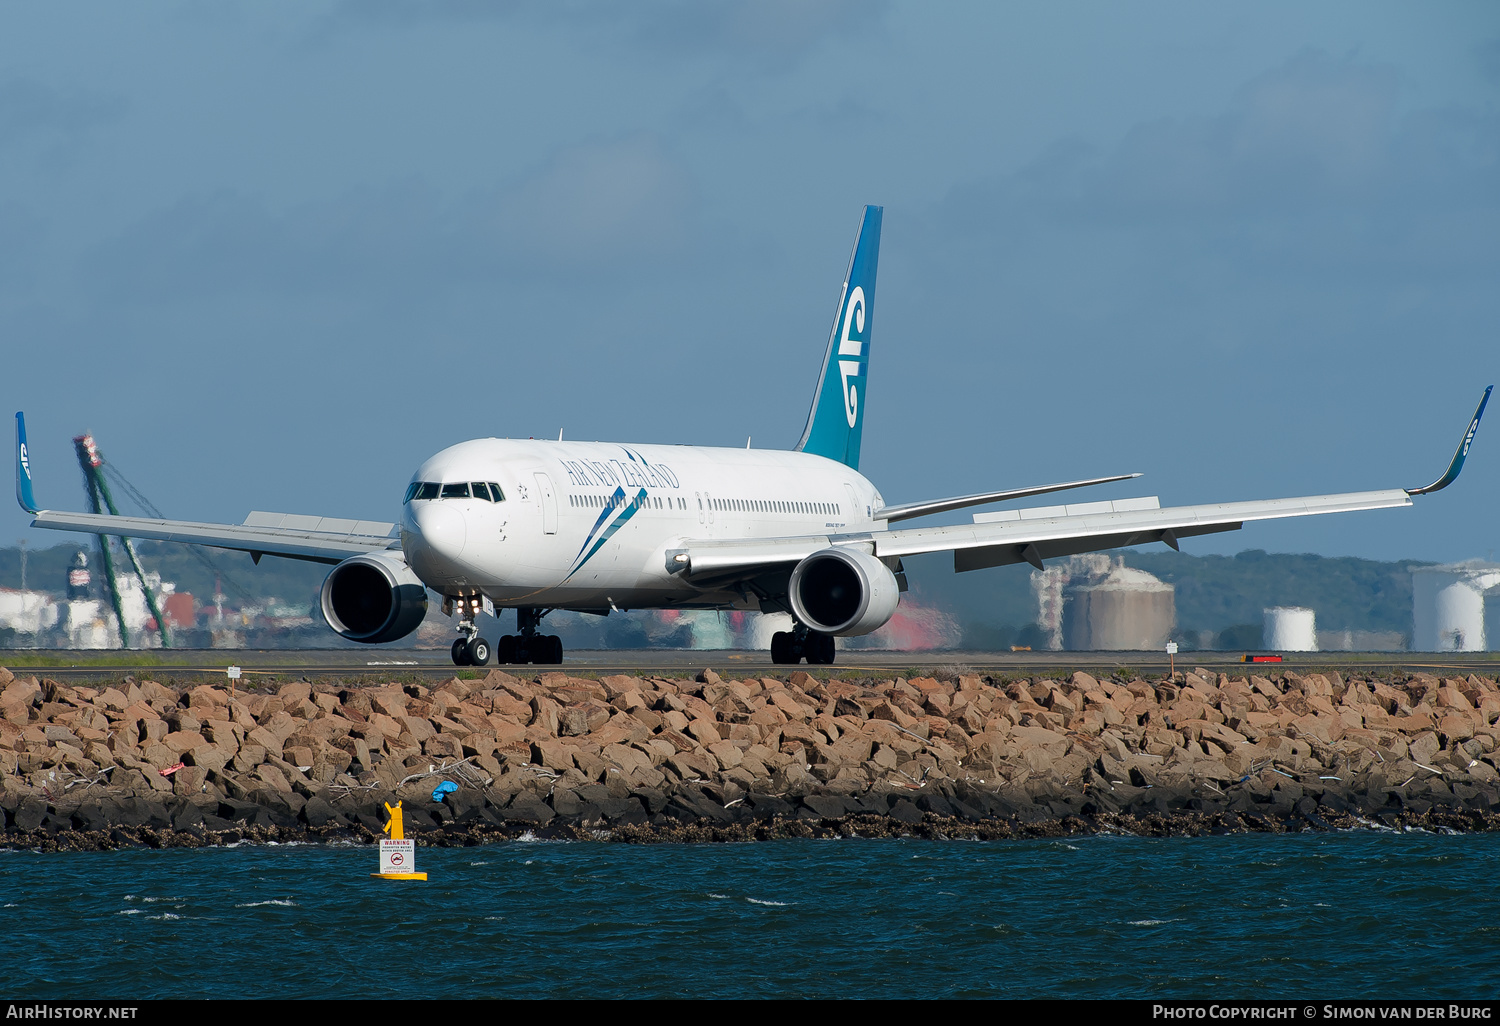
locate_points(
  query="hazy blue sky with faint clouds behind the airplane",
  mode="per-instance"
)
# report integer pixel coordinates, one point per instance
(277, 254)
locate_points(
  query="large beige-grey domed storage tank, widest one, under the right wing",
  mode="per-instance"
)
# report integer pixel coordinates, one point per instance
(1124, 610)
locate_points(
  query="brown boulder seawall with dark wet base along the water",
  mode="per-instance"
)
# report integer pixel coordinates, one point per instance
(710, 760)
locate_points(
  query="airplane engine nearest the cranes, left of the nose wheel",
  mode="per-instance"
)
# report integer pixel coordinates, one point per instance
(374, 598)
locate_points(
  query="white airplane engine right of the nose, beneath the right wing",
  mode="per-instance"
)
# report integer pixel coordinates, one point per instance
(844, 592)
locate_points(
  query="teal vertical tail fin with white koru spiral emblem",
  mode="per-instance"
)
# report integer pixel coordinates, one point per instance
(838, 416)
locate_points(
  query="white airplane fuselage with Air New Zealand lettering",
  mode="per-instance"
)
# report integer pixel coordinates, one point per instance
(590, 526)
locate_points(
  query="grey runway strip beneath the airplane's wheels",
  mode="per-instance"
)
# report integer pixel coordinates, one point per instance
(211, 665)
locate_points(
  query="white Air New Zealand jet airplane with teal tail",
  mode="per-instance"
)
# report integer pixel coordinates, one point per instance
(596, 527)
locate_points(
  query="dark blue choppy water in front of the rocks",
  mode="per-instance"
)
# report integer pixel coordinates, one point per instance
(1300, 916)
